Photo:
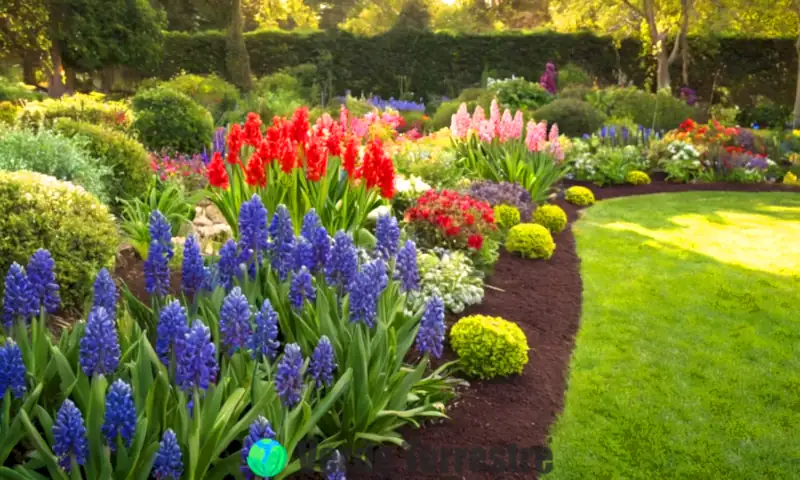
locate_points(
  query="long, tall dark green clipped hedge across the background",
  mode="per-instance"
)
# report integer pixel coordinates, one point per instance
(444, 64)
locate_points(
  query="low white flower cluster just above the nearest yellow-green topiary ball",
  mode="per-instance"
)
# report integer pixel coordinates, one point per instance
(451, 277)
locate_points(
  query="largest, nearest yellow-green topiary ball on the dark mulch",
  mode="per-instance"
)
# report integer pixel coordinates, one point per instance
(489, 346)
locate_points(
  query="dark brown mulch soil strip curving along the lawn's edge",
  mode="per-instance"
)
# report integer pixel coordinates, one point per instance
(498, 429)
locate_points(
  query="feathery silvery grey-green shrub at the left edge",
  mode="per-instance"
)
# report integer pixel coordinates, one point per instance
(55, 155)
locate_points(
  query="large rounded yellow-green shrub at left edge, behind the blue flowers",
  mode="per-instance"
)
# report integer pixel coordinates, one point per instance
(42, 212)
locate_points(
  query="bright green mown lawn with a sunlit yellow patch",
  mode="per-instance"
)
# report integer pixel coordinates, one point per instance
(687, 361)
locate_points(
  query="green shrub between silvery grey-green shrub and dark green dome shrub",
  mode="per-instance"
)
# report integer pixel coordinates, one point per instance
(127, 158)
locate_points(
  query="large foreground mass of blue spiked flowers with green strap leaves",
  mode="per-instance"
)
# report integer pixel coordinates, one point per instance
(289, 334)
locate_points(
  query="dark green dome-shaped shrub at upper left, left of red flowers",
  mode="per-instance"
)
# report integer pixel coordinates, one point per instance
(170, 120)
